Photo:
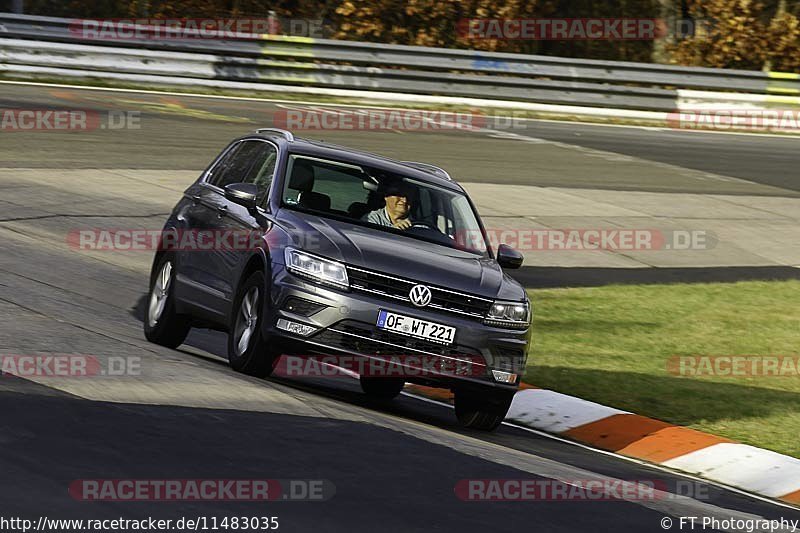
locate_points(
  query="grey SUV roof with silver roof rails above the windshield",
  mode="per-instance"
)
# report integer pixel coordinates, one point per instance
(324, 150)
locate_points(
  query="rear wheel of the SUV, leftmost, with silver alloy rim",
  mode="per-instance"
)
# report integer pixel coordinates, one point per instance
(162, 325)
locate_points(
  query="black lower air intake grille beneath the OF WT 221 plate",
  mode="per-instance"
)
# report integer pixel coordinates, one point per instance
(367, 339)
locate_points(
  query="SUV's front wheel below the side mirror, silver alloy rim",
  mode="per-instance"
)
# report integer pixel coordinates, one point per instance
(248, 350)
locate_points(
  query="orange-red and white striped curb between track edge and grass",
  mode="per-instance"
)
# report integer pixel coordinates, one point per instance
(717, 459)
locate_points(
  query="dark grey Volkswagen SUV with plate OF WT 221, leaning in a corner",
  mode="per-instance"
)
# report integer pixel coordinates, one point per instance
(341, 253)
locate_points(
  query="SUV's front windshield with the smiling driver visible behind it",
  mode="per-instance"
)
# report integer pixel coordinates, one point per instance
(382, 200)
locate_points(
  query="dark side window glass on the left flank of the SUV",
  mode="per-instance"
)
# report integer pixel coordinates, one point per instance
(247, 162)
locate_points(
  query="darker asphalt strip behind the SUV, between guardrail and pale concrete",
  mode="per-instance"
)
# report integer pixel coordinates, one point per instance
(179, 132)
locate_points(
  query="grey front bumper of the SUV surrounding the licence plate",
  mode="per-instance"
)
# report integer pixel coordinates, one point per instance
(346, 324)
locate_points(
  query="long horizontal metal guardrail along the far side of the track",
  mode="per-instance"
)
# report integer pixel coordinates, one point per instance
(51, 42)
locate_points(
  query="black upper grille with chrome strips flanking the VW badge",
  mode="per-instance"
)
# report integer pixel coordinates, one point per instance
(394, 288)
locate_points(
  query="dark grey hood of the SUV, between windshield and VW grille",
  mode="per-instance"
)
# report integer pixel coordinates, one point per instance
(398, 255)
